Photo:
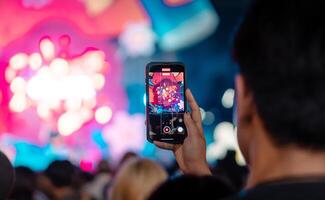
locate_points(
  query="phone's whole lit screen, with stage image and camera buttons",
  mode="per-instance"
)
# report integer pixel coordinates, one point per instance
(166, 102)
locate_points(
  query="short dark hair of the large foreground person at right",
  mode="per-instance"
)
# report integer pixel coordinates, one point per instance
(280, 49)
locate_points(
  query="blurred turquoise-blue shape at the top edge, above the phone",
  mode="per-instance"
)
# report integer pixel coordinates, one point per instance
(184, 25)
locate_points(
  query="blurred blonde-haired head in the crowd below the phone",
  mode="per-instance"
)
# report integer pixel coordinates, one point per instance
(137, 179)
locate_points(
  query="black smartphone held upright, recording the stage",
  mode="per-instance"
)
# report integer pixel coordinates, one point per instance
(165, 102)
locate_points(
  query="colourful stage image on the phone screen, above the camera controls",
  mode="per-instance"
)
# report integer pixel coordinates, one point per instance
(166, 92)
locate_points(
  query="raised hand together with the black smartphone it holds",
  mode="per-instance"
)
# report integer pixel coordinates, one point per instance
(167, 107)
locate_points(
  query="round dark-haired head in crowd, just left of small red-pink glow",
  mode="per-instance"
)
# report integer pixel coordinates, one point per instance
(61, 173)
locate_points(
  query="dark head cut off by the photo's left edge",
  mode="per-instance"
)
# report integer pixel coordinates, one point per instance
(7, 176)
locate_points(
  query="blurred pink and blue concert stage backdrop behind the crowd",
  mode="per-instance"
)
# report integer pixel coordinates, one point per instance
(72, 75)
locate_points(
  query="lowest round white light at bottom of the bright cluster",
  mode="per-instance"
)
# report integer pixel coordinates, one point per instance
(68, 123)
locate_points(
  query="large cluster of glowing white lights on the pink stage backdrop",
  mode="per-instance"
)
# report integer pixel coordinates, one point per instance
(62, 90)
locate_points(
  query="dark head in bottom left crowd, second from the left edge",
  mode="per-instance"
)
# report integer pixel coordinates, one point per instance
(25, 184)
